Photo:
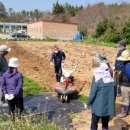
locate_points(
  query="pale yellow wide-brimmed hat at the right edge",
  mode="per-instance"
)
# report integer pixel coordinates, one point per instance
(125, 56)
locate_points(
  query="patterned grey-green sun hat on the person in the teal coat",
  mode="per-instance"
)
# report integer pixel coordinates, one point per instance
(100, 58)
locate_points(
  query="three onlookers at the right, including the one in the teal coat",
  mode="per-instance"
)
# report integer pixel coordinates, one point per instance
(105, 88)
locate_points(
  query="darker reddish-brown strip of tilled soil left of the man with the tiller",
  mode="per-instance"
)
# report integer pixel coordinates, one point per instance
(32, 65)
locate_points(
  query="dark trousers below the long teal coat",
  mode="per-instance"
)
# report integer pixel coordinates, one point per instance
(95, 120)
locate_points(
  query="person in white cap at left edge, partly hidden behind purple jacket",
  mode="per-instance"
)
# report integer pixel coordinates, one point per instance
(4, 49)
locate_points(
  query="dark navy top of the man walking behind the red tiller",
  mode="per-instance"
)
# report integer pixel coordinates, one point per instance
(57, 58)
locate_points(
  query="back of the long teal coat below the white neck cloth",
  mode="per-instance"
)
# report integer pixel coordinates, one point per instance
(104, 102)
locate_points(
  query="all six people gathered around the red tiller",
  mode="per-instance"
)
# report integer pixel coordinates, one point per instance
(104, 89)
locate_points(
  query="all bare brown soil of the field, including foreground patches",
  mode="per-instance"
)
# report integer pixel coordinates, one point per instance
(34, 58)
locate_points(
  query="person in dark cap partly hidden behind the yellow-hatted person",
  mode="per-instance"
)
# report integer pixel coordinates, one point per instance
(119, 65)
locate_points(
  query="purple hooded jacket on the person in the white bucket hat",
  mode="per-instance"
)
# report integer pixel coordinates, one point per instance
(12, 83)
